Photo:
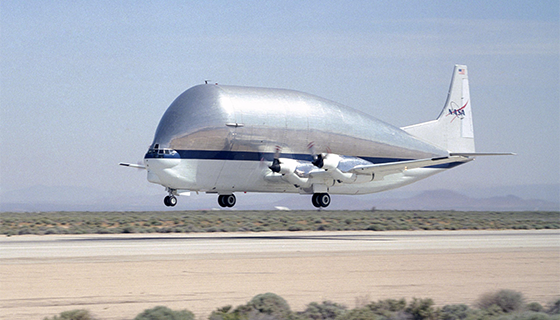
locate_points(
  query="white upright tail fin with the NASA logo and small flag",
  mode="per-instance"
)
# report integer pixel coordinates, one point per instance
(453, 129)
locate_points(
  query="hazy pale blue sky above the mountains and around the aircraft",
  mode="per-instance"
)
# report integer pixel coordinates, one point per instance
(83, 84)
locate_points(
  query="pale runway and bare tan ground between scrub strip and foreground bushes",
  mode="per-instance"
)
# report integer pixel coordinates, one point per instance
(118, 276)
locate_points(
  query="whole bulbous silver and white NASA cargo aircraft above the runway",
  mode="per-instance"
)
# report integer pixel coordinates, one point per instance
(226, 139)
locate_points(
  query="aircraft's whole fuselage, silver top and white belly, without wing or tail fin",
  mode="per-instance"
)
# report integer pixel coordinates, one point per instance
(223, 138)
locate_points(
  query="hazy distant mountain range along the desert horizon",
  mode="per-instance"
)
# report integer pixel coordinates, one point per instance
(43, 198)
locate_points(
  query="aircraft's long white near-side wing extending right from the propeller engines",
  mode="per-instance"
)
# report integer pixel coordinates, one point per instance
(400, 166)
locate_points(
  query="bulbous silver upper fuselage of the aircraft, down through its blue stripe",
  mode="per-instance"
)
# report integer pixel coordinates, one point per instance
(244, 123)
